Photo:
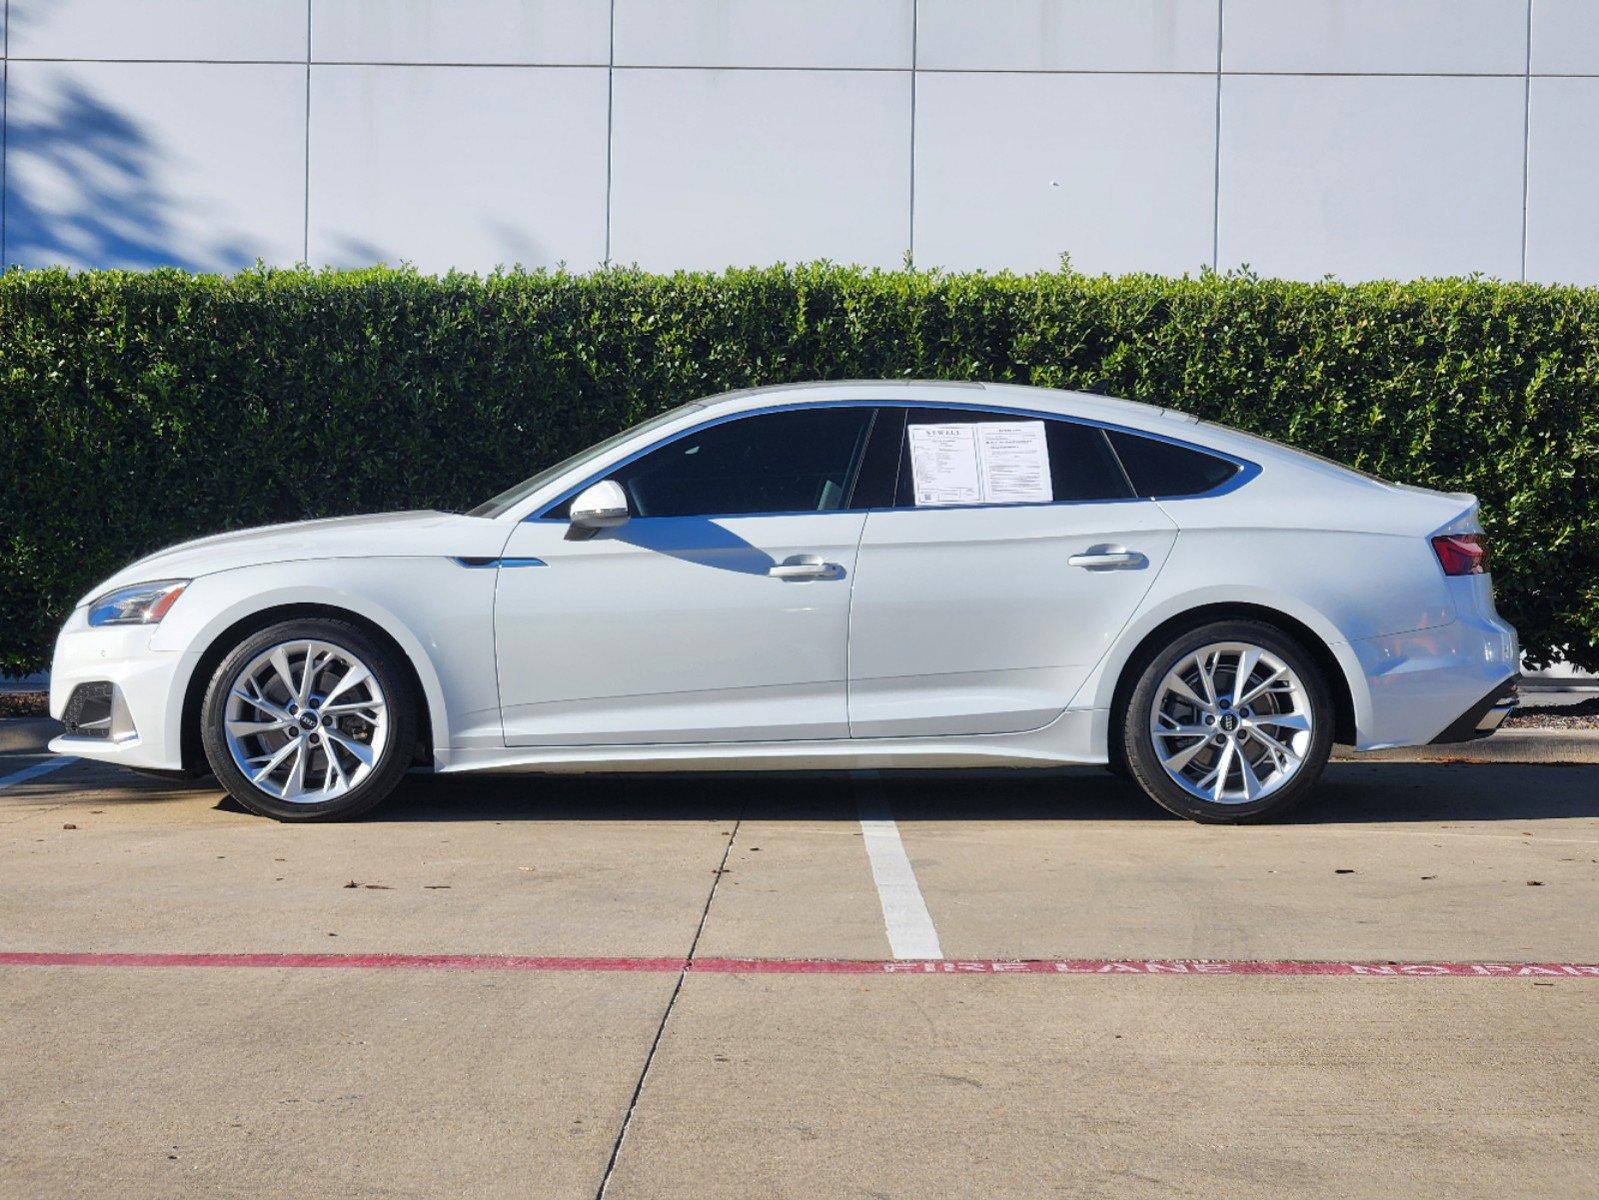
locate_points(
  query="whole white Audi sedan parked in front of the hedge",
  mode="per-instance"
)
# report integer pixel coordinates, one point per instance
(855, 575)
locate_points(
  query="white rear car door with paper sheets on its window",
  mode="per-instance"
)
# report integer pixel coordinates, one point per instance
(997, 580)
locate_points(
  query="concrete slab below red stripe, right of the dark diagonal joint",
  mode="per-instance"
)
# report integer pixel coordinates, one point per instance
(1088, 1087)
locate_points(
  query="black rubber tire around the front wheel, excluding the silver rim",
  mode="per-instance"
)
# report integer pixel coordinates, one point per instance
(391, 762)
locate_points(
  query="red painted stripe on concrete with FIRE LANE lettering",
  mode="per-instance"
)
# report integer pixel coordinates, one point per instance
(512, 962)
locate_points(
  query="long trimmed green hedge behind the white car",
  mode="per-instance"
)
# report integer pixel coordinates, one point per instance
(145, 409)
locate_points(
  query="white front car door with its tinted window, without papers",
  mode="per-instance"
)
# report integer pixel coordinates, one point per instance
(719, 612)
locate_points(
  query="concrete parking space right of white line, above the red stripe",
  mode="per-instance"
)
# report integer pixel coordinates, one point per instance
(1411, 862)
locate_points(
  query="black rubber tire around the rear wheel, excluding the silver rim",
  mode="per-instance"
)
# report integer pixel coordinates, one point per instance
(1138, 743)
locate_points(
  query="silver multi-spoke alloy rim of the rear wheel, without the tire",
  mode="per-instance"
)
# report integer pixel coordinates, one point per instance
(1232, 724)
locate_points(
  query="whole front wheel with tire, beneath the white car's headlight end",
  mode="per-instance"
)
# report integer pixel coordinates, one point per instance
(309, 721)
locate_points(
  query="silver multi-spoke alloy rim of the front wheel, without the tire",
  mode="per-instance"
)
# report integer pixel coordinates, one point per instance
(306, 721)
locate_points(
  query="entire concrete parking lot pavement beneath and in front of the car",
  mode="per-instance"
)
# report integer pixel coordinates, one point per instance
(688, 988)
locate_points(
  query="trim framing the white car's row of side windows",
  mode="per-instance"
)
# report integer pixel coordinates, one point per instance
(1246, 470)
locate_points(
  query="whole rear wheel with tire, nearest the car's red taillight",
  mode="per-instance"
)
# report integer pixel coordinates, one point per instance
(1229, 724)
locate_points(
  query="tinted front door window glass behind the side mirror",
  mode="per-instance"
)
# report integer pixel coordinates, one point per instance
(797, 462)
